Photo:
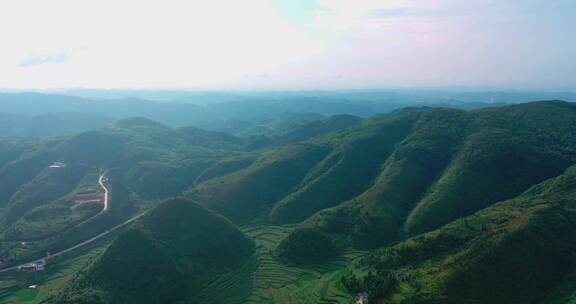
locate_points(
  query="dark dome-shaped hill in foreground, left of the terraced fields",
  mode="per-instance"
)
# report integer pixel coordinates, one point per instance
(166, 258)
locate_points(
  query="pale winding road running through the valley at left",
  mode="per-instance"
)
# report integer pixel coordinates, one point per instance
(88, 241)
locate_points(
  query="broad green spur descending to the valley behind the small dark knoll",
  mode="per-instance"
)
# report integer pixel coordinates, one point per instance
(374, 216)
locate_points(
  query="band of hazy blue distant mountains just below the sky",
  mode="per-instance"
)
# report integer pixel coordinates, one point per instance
(29, 114)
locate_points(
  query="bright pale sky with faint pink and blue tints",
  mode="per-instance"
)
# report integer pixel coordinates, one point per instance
(288, 44)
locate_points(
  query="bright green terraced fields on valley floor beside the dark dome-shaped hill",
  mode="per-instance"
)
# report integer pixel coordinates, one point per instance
(267, 280)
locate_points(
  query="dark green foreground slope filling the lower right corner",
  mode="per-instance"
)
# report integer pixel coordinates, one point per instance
(517, 251)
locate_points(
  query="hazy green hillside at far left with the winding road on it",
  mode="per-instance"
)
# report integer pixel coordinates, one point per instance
(146, 159)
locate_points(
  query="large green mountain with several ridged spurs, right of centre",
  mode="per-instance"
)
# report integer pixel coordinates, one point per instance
(402, 174)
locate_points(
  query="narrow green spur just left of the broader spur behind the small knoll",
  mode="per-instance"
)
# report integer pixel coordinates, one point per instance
(346, 172)
